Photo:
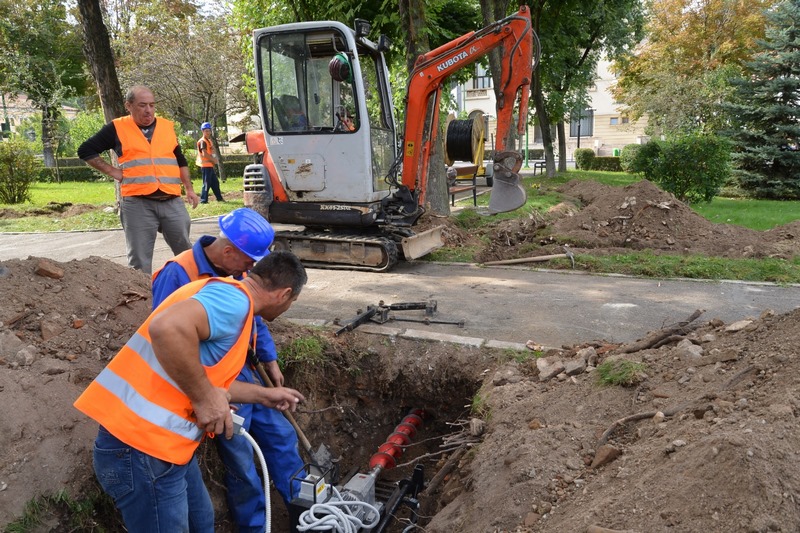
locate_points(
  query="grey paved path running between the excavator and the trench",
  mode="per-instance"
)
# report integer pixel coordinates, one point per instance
(513, 304)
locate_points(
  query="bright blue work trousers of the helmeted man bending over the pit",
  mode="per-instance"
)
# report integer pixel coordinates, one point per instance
(278, 442)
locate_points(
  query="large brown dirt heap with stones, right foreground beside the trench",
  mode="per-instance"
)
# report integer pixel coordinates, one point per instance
(710, 441)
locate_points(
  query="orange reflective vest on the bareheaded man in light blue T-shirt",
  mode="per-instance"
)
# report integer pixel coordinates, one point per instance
(137, 401)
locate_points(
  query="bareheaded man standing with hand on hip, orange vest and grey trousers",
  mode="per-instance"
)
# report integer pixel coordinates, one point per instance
(151, 172)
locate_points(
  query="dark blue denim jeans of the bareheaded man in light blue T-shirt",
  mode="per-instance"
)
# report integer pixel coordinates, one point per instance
(154, 496)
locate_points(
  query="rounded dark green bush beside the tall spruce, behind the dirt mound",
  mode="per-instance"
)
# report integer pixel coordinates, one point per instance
(692, 167)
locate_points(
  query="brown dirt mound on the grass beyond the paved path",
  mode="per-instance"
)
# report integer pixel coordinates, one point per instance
(601, 219)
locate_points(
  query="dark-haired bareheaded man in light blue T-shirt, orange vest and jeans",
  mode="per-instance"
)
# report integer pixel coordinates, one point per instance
(171, 384)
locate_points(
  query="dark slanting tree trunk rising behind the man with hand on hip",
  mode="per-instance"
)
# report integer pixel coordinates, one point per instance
(98, 52)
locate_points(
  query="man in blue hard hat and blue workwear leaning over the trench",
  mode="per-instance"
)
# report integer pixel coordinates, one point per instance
(245, 236)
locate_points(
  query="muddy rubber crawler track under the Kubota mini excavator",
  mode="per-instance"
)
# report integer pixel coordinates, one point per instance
(339, 251)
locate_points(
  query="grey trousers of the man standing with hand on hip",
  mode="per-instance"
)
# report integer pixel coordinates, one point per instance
(143, 219)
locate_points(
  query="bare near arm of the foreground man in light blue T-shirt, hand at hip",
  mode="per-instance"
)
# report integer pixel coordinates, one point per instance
(175, 335)
